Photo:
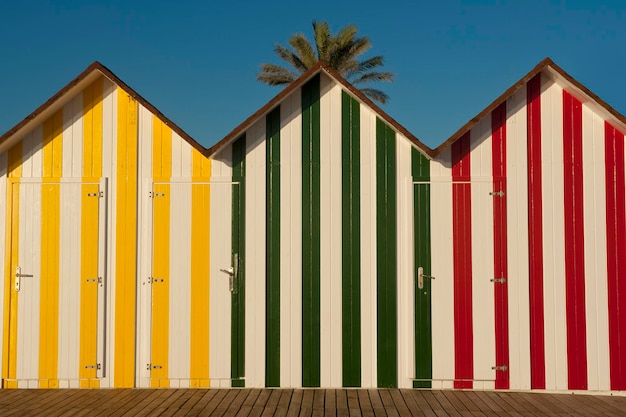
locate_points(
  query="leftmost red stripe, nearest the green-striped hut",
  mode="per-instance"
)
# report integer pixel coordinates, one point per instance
(462, 253)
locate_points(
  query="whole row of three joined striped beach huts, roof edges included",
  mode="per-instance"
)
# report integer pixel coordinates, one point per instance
(319, 244)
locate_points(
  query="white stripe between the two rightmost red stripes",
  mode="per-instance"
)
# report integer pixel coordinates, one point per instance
(596, 291)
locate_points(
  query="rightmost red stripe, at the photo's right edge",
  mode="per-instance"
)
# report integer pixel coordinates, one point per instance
(616, 252)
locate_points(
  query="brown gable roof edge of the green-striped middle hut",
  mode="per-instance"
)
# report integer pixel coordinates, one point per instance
(321, 66)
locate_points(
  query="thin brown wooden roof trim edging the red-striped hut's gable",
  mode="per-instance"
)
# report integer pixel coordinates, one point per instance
(546, 63)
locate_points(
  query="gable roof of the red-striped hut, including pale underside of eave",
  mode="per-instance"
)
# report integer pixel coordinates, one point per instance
(548, 67)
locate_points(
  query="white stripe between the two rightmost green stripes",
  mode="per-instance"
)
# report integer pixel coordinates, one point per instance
(405, 289)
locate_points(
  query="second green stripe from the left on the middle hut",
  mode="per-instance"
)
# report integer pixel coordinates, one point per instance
(272, 306)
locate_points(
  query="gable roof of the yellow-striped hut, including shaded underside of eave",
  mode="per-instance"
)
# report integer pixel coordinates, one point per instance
(64, 95)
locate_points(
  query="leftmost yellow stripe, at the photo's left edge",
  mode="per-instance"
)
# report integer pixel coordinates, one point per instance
(9, 348)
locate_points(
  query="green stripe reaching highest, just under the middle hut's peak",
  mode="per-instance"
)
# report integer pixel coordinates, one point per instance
(311, 233)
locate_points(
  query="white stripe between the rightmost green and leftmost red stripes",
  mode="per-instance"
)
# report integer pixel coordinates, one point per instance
(442, 299)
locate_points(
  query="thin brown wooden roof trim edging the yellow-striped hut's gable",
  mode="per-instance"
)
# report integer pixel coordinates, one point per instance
(97, 66)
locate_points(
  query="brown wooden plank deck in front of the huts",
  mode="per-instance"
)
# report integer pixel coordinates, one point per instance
(302, 402)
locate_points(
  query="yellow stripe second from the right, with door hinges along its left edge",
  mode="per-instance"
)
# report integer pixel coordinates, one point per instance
(161, 170)
